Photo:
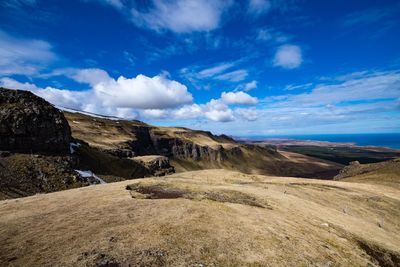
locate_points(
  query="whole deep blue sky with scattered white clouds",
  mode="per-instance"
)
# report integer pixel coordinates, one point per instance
(251, 67)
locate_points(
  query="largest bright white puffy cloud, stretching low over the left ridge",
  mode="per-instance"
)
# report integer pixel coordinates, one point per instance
(113, 97)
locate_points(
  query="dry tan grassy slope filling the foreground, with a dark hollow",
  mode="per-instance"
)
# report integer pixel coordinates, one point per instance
(205, 218)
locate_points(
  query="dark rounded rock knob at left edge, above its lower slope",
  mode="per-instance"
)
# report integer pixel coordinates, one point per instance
(28, 123)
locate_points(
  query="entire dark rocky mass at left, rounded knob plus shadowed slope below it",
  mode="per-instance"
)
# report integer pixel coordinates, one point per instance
(39, 155)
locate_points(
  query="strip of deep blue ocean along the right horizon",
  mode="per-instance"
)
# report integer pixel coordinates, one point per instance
(391, 140)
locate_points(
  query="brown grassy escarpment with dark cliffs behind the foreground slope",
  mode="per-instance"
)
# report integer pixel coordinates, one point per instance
(179, 143)
